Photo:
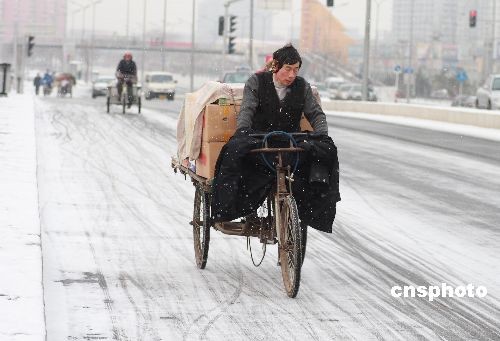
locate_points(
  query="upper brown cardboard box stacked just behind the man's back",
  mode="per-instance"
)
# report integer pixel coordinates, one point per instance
(219, 122)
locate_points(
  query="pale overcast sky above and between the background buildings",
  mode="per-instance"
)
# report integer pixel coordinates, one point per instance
(350, 12)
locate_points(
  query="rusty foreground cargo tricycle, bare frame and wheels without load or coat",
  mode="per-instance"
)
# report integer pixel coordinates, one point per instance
(276, 221)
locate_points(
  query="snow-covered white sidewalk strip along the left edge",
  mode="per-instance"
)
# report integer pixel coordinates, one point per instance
(21, 291)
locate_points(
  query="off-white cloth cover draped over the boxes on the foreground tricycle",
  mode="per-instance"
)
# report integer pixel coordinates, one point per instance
(189, 124)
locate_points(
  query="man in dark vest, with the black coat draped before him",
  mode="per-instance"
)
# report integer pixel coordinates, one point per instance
(275, 101)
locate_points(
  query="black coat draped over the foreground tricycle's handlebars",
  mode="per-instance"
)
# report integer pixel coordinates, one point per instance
(243, 181)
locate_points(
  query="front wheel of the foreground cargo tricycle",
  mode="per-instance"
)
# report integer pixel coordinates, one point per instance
(290, 251)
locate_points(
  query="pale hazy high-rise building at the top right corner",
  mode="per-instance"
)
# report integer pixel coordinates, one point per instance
(442, 37)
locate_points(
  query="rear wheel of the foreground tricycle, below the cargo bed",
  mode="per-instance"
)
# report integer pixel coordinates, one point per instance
(201, 226)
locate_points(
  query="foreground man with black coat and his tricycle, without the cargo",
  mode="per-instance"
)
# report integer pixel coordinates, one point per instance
(271, 181)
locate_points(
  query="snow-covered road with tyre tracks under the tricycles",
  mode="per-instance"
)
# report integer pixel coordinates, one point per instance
(118, 258)
